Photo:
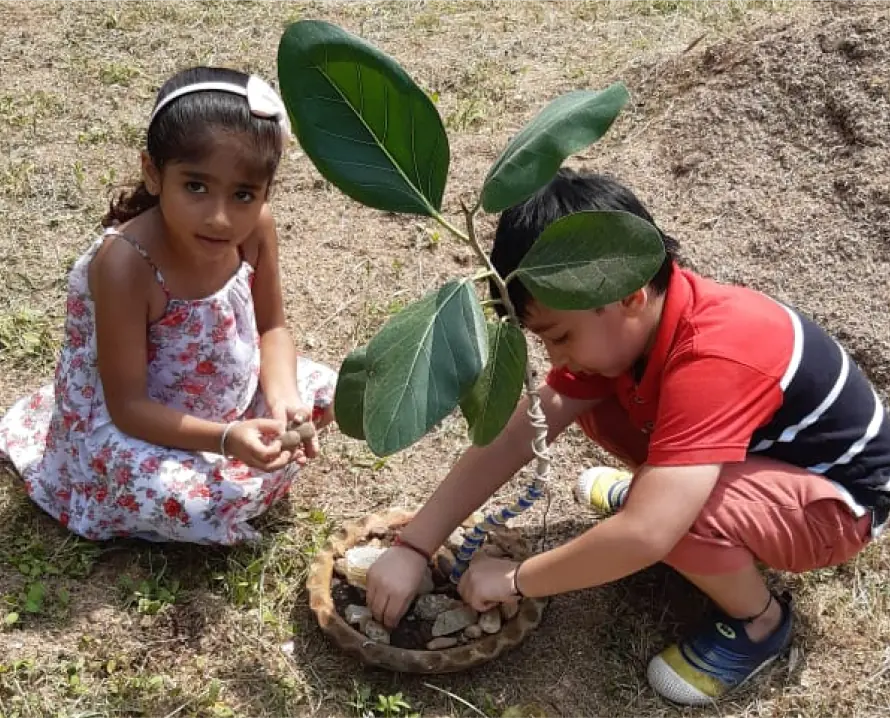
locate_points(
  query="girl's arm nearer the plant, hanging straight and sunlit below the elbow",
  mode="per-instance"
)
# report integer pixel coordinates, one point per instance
(278, 355)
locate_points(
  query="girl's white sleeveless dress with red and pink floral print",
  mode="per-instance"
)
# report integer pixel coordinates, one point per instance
(203, 359)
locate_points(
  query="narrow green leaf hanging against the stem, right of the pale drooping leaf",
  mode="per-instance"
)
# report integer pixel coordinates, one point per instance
(490, 403)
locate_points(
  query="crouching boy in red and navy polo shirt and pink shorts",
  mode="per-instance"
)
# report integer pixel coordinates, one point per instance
(751, 434)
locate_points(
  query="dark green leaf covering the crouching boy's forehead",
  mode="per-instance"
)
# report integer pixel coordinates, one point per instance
(590, 259)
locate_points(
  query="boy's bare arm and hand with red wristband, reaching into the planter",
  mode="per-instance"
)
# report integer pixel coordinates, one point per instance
(393, 579)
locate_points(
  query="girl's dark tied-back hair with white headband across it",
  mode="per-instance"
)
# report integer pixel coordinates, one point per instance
(183, 130)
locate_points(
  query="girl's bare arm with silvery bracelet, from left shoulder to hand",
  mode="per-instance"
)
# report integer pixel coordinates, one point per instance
(121, 283)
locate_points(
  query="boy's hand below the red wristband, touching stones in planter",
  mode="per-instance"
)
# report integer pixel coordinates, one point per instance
(392, 583)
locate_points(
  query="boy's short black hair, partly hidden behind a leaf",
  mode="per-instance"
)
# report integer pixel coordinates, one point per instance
(521, 225)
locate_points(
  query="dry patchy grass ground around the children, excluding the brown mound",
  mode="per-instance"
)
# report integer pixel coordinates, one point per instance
(129, 629)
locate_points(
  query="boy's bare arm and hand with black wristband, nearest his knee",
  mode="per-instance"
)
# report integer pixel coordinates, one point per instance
(663, 505)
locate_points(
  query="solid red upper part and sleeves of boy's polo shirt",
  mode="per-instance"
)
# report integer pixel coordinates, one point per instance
(712, 378)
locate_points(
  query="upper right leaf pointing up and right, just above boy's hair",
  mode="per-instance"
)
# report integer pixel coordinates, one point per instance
(568, 124)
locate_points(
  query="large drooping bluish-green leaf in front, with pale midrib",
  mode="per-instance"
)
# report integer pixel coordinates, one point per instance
(420, 364)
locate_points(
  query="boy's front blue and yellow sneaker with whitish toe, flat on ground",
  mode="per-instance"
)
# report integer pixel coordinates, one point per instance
(701, 669)
